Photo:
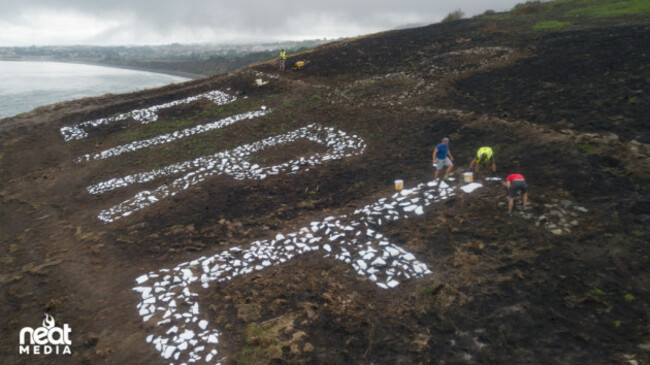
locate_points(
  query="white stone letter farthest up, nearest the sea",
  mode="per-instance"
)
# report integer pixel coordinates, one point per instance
(144, 116)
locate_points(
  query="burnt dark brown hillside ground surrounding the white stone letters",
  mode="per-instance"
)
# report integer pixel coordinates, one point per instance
(564, 281)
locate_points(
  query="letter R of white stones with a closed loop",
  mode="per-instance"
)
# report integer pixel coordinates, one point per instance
(233, 162)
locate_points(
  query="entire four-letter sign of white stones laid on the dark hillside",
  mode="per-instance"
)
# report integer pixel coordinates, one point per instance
(169, 300)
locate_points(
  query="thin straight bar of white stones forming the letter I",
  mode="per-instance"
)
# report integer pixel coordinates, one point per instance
(171, 137)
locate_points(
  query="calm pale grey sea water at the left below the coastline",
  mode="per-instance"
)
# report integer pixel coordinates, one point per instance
(25, 85)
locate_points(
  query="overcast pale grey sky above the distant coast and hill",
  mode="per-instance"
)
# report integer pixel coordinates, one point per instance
(131, 22)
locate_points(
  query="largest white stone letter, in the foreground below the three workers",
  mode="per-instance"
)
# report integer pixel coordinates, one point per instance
(182, 333)
